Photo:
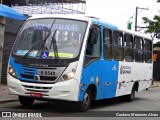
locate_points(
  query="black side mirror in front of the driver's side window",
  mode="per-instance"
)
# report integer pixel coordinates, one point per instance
(93, 36)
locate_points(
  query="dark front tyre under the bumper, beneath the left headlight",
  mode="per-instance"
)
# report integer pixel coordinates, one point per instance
(26, 101)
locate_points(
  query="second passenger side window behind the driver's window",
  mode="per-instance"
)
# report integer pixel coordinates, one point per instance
(118, 45)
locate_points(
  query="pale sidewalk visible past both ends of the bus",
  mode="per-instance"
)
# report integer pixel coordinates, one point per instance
(6, 97)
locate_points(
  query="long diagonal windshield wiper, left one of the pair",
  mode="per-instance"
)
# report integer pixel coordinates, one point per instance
(36, 44)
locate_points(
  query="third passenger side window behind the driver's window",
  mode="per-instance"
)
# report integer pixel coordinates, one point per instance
(128, 48)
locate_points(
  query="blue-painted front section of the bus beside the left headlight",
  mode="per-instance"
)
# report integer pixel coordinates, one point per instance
(28, 72)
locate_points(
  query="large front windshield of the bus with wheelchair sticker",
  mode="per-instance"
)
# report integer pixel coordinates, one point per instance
(48, 38)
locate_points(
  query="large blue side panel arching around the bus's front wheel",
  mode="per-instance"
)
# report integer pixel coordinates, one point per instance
(103, 74)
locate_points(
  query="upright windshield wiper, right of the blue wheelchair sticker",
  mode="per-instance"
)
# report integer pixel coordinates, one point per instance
(54, 44)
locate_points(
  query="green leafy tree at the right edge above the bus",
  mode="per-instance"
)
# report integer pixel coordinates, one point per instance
(153, 25)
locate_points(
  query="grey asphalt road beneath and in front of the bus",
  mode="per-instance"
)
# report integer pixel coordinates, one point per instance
(148, 100)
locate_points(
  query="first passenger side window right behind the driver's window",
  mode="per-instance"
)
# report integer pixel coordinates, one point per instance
(107, 44)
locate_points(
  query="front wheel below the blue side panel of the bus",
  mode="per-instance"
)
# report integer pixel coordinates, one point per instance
(85, 104)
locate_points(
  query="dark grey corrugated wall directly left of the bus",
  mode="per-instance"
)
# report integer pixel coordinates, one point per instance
(11, 31)
